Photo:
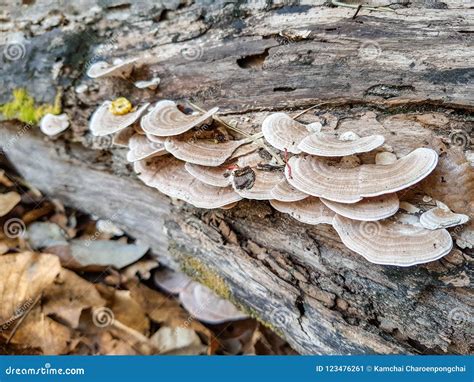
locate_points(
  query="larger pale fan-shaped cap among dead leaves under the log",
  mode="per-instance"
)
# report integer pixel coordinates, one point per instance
(206, 306)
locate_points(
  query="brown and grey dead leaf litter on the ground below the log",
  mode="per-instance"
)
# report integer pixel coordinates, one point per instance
(75, 284)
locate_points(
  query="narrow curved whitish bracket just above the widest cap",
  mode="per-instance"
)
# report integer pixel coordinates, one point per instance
(326, 146)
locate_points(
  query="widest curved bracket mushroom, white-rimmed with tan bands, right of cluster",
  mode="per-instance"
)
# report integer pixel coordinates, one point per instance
(314, 176)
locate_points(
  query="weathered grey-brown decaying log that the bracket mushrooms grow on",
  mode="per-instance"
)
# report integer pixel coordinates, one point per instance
(406, 74)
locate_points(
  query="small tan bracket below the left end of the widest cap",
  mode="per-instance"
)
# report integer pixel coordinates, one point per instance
(309, 210)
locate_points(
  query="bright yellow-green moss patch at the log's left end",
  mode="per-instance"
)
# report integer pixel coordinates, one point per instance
(24, 108)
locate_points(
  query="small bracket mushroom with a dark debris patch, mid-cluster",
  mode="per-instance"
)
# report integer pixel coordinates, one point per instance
(252, 183)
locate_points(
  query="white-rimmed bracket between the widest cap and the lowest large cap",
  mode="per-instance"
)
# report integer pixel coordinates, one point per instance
(369, 209)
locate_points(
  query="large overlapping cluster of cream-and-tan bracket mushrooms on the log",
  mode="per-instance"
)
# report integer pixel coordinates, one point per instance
(188, 155)
